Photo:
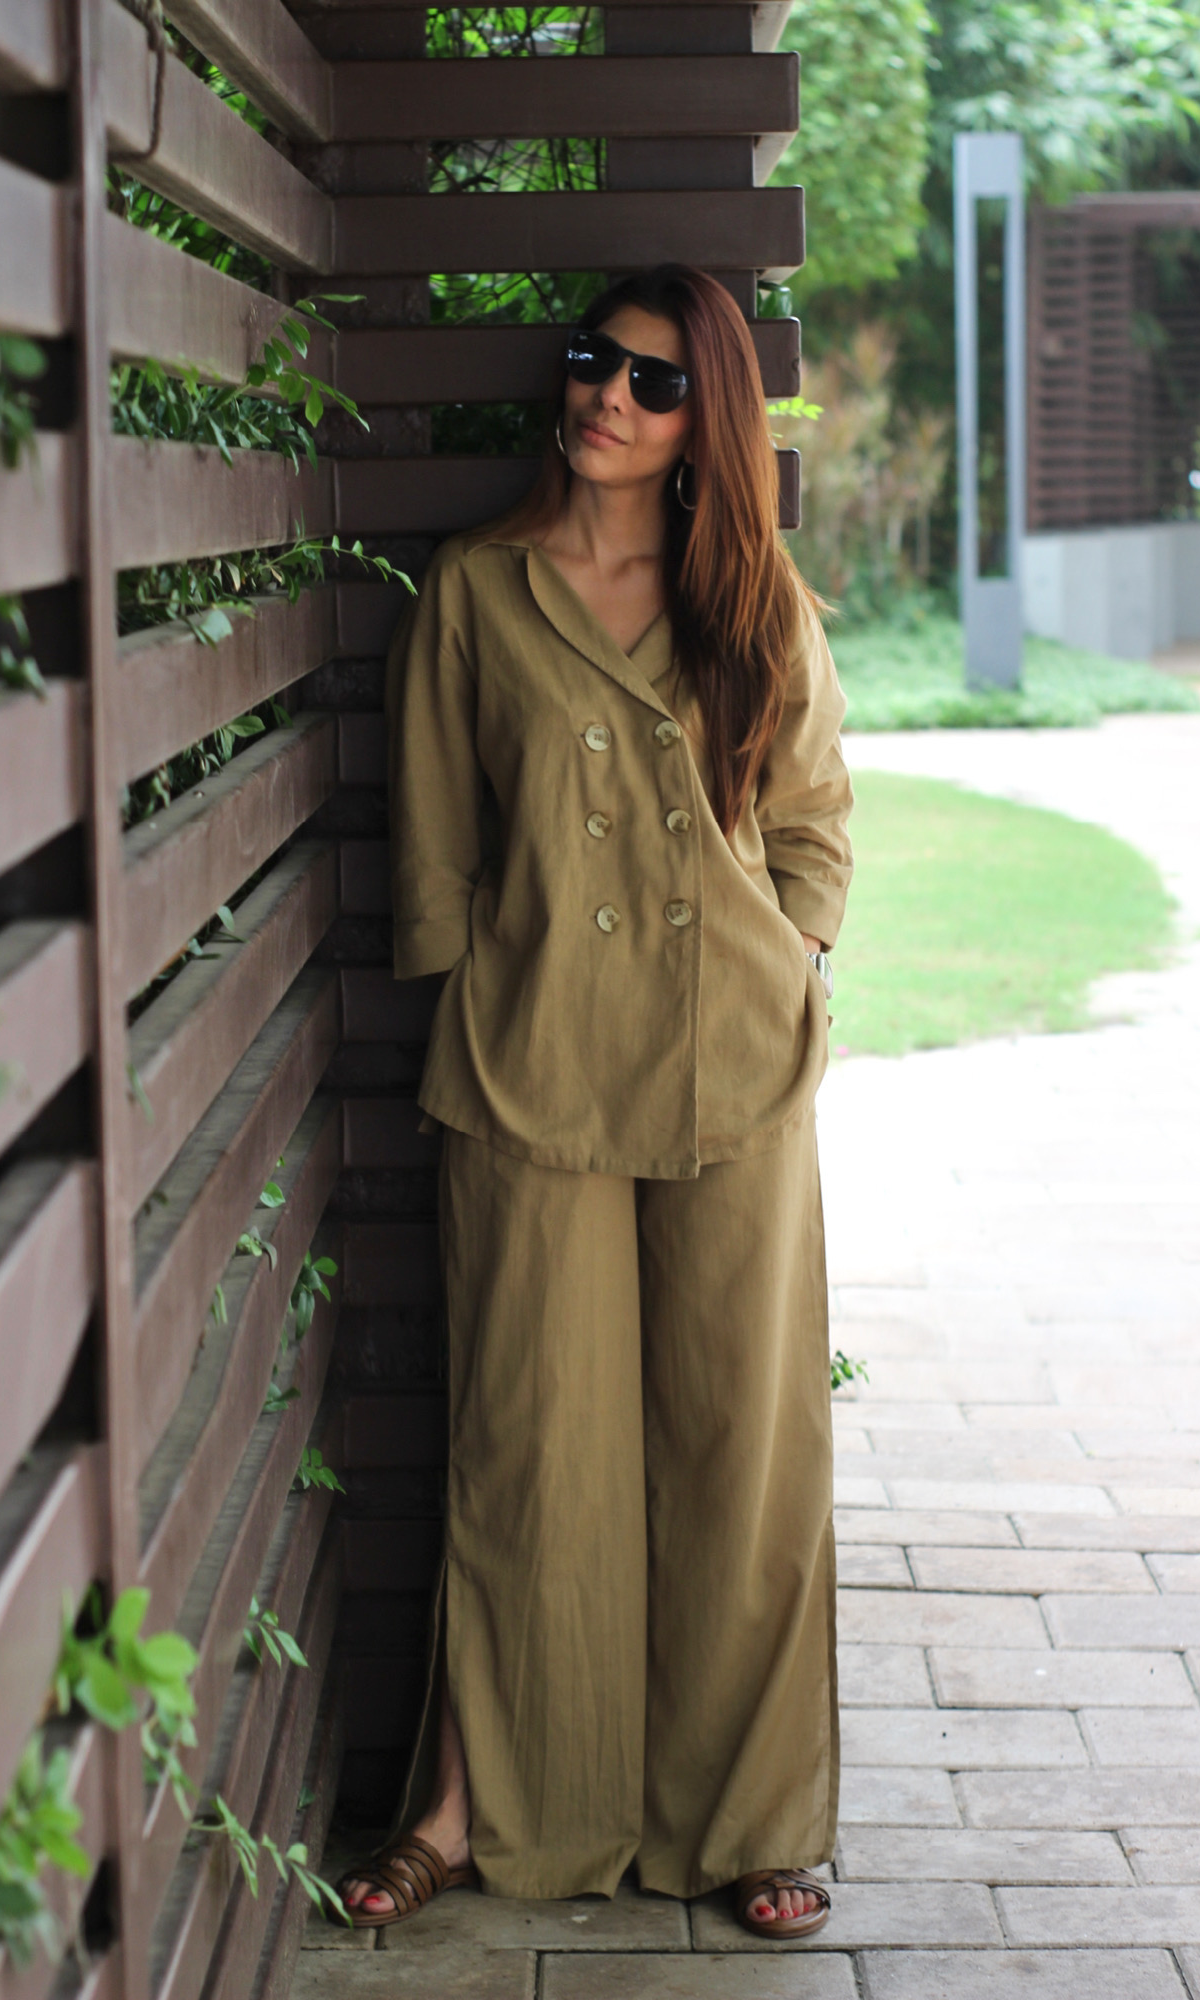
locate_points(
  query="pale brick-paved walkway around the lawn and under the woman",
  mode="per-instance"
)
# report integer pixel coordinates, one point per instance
(1015, 1247)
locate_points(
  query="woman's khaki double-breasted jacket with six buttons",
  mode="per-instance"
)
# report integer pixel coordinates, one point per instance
(629, 991)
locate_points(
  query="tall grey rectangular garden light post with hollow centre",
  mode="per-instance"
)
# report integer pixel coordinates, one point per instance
(989, 167)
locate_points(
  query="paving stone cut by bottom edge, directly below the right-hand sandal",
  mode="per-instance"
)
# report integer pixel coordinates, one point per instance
(697, 1977)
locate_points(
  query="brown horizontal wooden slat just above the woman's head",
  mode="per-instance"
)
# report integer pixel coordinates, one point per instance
(731, 229)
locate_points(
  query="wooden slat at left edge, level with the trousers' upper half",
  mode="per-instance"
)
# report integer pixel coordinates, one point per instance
(47, 1289)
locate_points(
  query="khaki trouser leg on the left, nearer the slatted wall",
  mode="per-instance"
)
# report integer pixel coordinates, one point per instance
(547, 1517)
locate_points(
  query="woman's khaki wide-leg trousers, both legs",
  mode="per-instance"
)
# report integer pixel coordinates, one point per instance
(639, 1595)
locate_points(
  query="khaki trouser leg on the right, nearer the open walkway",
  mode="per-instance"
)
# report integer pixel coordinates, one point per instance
(741, 1703)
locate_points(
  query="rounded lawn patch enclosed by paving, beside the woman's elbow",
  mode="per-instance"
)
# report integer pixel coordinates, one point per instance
(973, 917)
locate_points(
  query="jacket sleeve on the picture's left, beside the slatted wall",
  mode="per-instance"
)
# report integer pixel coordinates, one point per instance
(435, 783)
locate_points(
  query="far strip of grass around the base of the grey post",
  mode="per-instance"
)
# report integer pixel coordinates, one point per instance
(911, 679)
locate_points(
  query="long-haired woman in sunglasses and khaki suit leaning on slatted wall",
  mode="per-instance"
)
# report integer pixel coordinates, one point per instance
(621, 833)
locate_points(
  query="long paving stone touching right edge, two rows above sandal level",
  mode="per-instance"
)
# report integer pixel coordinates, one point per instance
(1081, 1799)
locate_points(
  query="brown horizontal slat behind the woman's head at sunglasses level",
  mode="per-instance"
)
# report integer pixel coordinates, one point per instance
(411, 365)
